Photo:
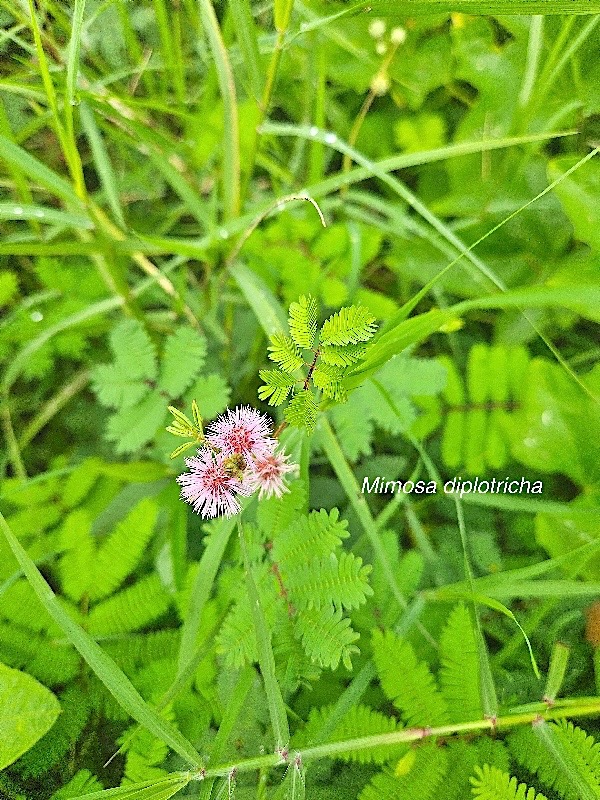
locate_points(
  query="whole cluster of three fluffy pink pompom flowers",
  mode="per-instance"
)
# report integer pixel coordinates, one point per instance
(238, 457)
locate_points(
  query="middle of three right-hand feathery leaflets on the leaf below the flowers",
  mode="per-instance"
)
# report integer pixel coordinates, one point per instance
(323, 581)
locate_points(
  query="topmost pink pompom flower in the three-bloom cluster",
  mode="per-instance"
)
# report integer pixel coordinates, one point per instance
(243, 430)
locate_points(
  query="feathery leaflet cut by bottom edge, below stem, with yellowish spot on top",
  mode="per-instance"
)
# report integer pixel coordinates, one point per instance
(423, 780)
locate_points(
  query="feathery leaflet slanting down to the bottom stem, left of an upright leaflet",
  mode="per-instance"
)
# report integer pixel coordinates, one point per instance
(408, 683)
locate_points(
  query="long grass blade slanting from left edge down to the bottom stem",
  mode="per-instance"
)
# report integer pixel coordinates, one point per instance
(105, 668)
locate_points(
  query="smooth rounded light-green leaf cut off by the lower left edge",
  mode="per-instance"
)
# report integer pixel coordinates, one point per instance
(27, 711)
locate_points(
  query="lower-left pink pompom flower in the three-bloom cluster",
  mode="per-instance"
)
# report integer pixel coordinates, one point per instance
(211, 485)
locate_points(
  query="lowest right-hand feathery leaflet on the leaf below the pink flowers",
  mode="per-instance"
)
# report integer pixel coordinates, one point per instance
(327, 637)
